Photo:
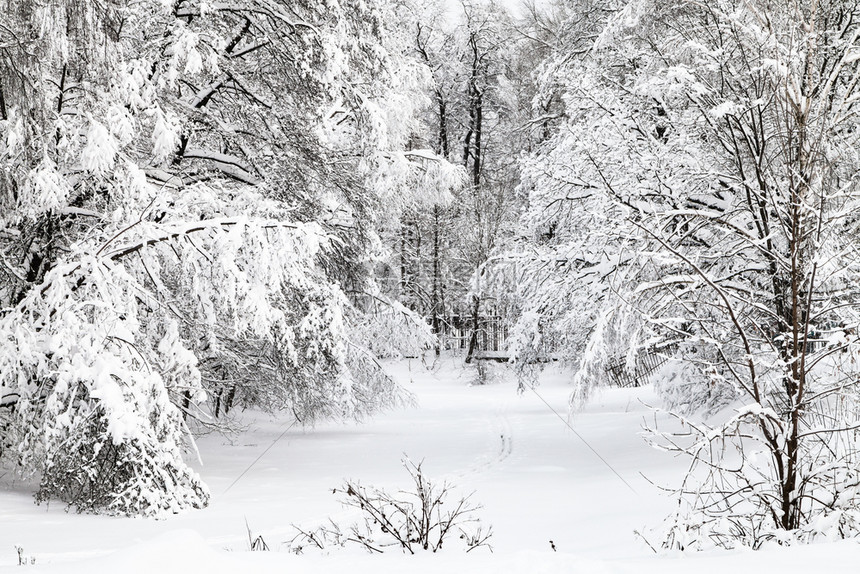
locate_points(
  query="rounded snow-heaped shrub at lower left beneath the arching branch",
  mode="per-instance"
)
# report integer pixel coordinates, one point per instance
(93, 416)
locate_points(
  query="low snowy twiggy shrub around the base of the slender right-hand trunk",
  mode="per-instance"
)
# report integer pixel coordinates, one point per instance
(731, 495)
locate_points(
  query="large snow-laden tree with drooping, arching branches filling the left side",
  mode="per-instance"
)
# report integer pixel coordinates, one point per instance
(188, 194)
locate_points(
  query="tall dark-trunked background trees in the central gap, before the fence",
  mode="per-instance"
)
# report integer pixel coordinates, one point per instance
(473, 120)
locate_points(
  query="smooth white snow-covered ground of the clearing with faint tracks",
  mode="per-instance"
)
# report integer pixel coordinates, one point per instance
(535, 478)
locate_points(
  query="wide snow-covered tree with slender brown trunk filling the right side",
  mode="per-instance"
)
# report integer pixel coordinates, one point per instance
(702, 190)
